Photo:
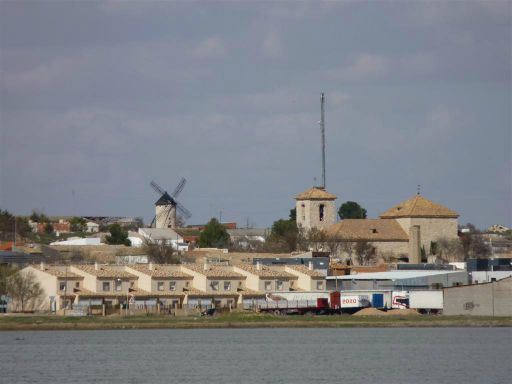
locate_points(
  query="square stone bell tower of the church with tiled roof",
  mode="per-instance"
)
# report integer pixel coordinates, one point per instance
(316, 208)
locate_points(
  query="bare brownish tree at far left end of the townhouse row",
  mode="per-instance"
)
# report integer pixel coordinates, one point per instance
(24, 290)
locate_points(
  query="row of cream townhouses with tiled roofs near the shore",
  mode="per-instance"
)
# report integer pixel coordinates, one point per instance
(169, 285)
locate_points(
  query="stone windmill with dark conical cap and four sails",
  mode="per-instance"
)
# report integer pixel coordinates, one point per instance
(167, 207)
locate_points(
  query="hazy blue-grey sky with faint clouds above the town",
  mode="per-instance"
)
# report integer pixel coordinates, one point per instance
(98, 98)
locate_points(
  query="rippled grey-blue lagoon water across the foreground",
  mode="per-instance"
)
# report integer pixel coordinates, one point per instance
(347, 355)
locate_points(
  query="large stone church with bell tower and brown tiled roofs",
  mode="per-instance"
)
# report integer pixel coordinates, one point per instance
(401, 232)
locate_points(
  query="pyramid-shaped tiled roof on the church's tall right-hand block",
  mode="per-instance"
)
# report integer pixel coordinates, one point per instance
(418, 206)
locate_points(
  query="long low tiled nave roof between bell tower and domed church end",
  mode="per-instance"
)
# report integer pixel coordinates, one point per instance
(368, 230)
